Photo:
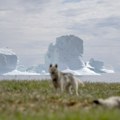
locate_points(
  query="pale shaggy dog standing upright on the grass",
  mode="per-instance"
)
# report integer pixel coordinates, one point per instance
(64, 81)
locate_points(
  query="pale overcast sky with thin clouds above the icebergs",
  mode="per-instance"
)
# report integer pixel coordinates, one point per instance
(29, 26)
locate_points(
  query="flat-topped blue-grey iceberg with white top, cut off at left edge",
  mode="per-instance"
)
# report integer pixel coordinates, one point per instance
(8, 60)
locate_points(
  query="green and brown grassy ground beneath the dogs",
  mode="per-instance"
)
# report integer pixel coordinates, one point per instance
(34, 100)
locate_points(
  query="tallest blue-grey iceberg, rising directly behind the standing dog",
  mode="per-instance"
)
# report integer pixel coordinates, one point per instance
(67, 52)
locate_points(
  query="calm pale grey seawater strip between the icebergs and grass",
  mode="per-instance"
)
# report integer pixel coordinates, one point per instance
(108, 78)
